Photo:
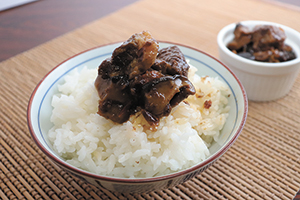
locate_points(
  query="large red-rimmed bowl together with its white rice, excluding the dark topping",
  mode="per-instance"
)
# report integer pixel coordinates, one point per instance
(129, 157)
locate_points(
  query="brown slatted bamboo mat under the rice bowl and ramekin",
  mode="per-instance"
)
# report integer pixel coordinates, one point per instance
(264, 163)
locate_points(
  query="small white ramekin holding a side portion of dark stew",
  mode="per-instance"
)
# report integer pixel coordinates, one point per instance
(262, 81)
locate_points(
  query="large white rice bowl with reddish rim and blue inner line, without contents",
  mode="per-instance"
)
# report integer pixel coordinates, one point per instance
(39, 111)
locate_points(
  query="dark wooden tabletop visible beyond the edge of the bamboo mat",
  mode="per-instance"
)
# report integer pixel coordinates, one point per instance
(27, 26)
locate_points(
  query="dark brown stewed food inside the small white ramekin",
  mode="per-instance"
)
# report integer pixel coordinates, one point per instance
(264, 43)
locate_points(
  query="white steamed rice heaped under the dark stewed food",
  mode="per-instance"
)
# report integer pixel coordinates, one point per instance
(130, 150)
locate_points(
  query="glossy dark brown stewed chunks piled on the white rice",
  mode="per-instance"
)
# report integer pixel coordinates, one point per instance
(140, 77)
